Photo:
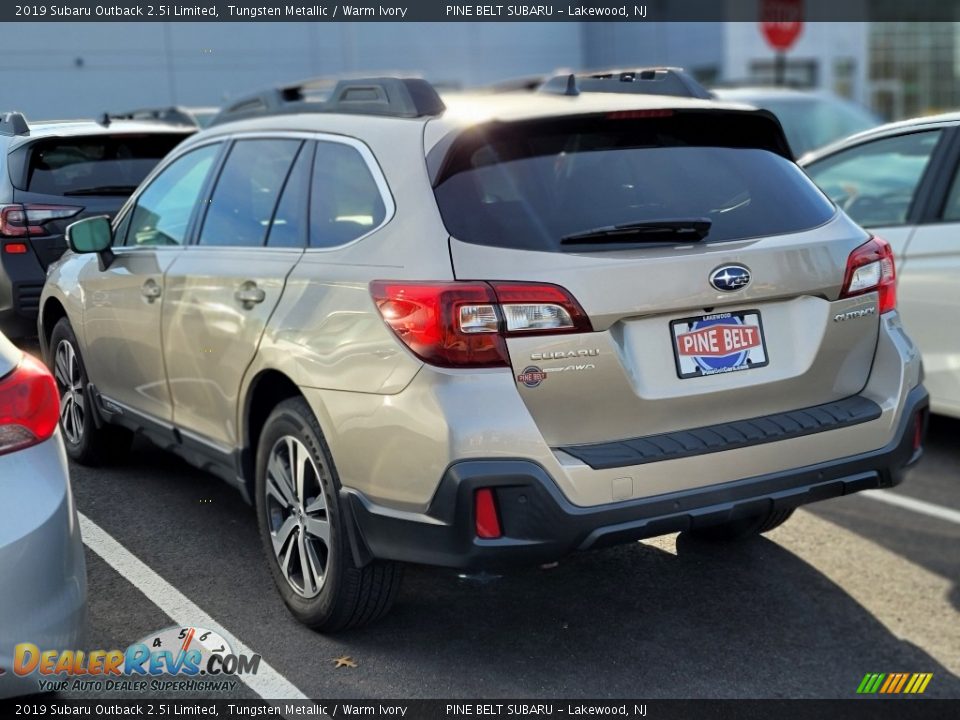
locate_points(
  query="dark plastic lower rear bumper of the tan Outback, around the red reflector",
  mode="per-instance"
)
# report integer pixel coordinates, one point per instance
(540, 525)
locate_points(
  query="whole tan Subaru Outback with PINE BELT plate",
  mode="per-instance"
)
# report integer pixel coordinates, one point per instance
(485, 334)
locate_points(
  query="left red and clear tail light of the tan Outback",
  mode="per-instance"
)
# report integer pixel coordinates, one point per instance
(465, 324)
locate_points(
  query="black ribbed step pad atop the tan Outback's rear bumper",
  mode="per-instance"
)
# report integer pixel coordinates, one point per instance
(727, 436)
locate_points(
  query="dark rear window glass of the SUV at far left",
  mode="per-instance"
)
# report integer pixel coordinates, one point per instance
(96, 165)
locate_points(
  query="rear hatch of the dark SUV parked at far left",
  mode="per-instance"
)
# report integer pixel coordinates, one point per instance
(59, 180)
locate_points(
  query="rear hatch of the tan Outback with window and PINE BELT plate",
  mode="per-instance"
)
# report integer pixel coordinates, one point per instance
(707, 263)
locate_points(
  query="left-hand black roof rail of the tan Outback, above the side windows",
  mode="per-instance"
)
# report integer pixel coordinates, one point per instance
(385, 96)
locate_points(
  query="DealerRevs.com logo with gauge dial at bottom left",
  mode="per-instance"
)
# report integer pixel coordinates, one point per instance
(185, 653)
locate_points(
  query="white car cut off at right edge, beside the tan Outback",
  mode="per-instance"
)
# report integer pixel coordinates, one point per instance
(902, 182)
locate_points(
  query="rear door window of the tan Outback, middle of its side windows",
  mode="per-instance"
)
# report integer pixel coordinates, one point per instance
(242, 204)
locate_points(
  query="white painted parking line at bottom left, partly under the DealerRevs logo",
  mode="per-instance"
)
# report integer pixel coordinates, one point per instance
(267, 683)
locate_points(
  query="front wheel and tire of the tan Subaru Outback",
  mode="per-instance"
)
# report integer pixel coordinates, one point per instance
(86, 443)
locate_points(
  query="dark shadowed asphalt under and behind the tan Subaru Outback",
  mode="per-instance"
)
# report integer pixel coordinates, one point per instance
(637, 621)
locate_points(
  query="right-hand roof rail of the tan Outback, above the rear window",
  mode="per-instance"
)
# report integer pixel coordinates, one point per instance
(638, 81)
